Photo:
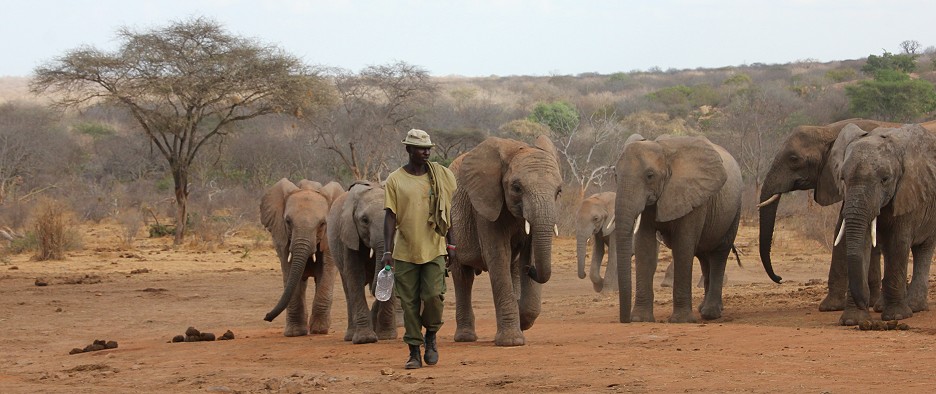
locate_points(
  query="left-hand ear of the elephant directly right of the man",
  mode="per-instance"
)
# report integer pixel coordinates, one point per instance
(481, 172)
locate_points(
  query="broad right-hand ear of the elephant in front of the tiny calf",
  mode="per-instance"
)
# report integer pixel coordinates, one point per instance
(696, 173)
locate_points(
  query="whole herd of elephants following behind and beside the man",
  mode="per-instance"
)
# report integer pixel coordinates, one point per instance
(679, 191)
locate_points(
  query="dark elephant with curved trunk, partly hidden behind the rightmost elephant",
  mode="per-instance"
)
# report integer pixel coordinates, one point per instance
(802, 163)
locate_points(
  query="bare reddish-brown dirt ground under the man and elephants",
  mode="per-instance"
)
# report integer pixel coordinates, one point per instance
(772, 337)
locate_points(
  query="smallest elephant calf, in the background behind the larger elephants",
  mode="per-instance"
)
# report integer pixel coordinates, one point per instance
(595, 221)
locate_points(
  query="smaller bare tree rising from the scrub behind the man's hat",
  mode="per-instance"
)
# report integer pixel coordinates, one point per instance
(374, 107)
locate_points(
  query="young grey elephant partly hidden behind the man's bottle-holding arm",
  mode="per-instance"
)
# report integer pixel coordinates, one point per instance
(355, 236)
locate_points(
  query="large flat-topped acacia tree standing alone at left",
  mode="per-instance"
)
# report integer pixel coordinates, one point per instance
(184, 84)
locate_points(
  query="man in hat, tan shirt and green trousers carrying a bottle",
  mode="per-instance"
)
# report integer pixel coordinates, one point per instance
(418, 206)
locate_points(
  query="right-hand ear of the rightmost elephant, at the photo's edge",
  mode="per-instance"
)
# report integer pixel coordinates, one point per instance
(916, 188)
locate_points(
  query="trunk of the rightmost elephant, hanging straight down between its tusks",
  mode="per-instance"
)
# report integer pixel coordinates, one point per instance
(857, 236)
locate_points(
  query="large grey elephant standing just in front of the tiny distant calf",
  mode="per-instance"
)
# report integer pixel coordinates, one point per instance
(688, 190)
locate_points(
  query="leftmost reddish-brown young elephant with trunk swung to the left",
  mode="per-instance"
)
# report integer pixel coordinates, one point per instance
(295, 216)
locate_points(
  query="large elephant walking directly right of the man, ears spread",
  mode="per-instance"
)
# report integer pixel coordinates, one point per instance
(504, 215)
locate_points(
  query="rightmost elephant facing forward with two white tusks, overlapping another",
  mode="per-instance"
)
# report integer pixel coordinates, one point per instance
(888, 174)
